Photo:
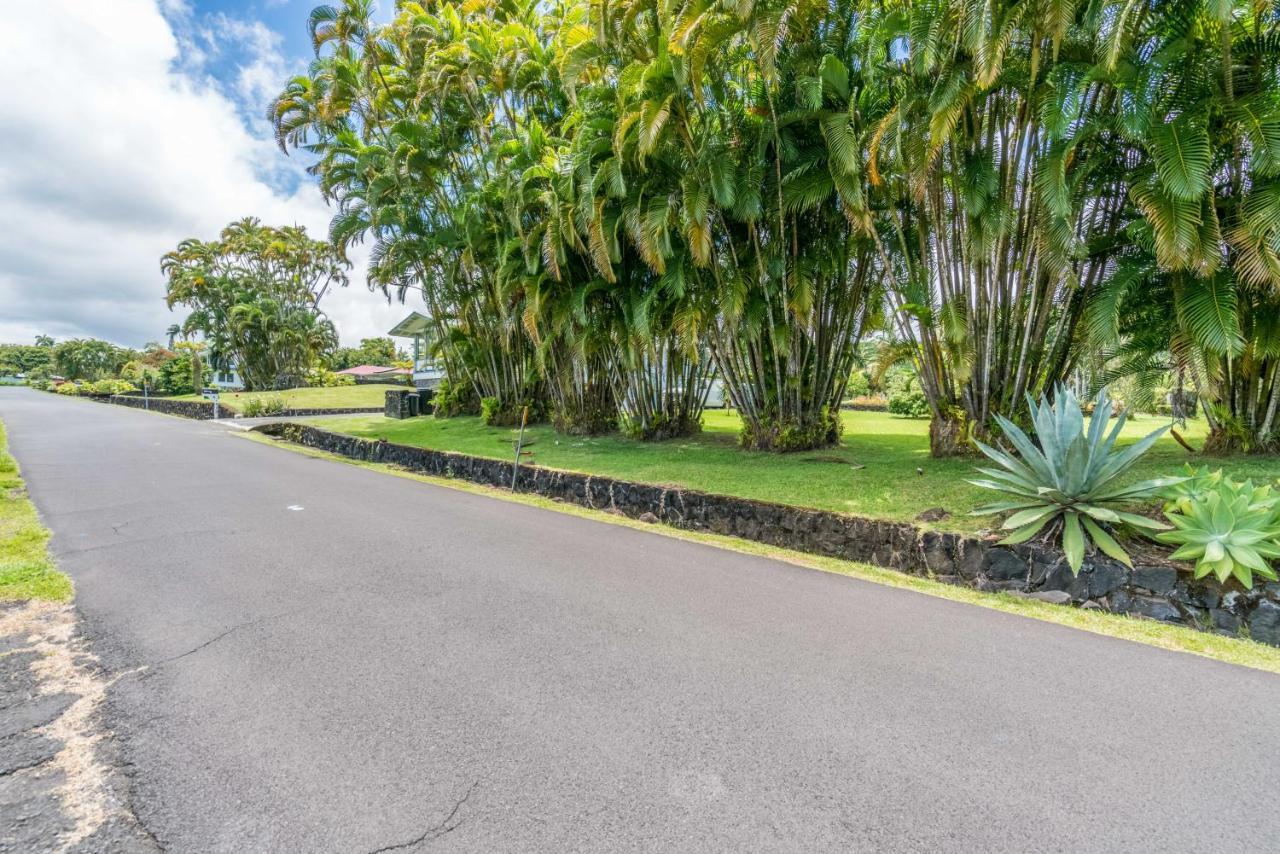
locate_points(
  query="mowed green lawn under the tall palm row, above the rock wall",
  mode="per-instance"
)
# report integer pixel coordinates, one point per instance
(883, 468)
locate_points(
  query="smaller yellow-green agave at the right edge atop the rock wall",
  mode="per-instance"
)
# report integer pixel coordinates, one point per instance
(1233, 529)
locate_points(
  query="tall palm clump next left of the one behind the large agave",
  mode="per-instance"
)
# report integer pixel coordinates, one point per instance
(738, 156)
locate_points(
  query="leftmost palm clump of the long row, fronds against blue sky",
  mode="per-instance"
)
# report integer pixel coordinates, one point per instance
(401, 124)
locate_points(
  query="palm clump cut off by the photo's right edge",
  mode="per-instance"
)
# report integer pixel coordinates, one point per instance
(1200, 97)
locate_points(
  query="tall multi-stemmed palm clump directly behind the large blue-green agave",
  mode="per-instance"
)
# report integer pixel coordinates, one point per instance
(998, 195)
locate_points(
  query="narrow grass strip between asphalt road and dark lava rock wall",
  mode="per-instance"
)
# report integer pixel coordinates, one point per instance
(1233, 651)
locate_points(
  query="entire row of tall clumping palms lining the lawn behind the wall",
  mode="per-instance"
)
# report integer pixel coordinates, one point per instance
(607, 204)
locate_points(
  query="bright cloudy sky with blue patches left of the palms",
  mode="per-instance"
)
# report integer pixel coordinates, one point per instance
(129, 126)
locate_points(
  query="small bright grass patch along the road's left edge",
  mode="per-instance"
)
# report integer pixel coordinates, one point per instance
(26, 569)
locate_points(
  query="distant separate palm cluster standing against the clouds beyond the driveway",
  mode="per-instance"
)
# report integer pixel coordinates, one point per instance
(255, 298)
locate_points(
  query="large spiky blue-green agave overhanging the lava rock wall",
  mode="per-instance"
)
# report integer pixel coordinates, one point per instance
(1069, 478)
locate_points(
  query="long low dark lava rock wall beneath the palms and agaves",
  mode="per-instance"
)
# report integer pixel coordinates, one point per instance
(1159, 592)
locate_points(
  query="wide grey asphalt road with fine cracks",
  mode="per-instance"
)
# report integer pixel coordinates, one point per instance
(345, 661)
